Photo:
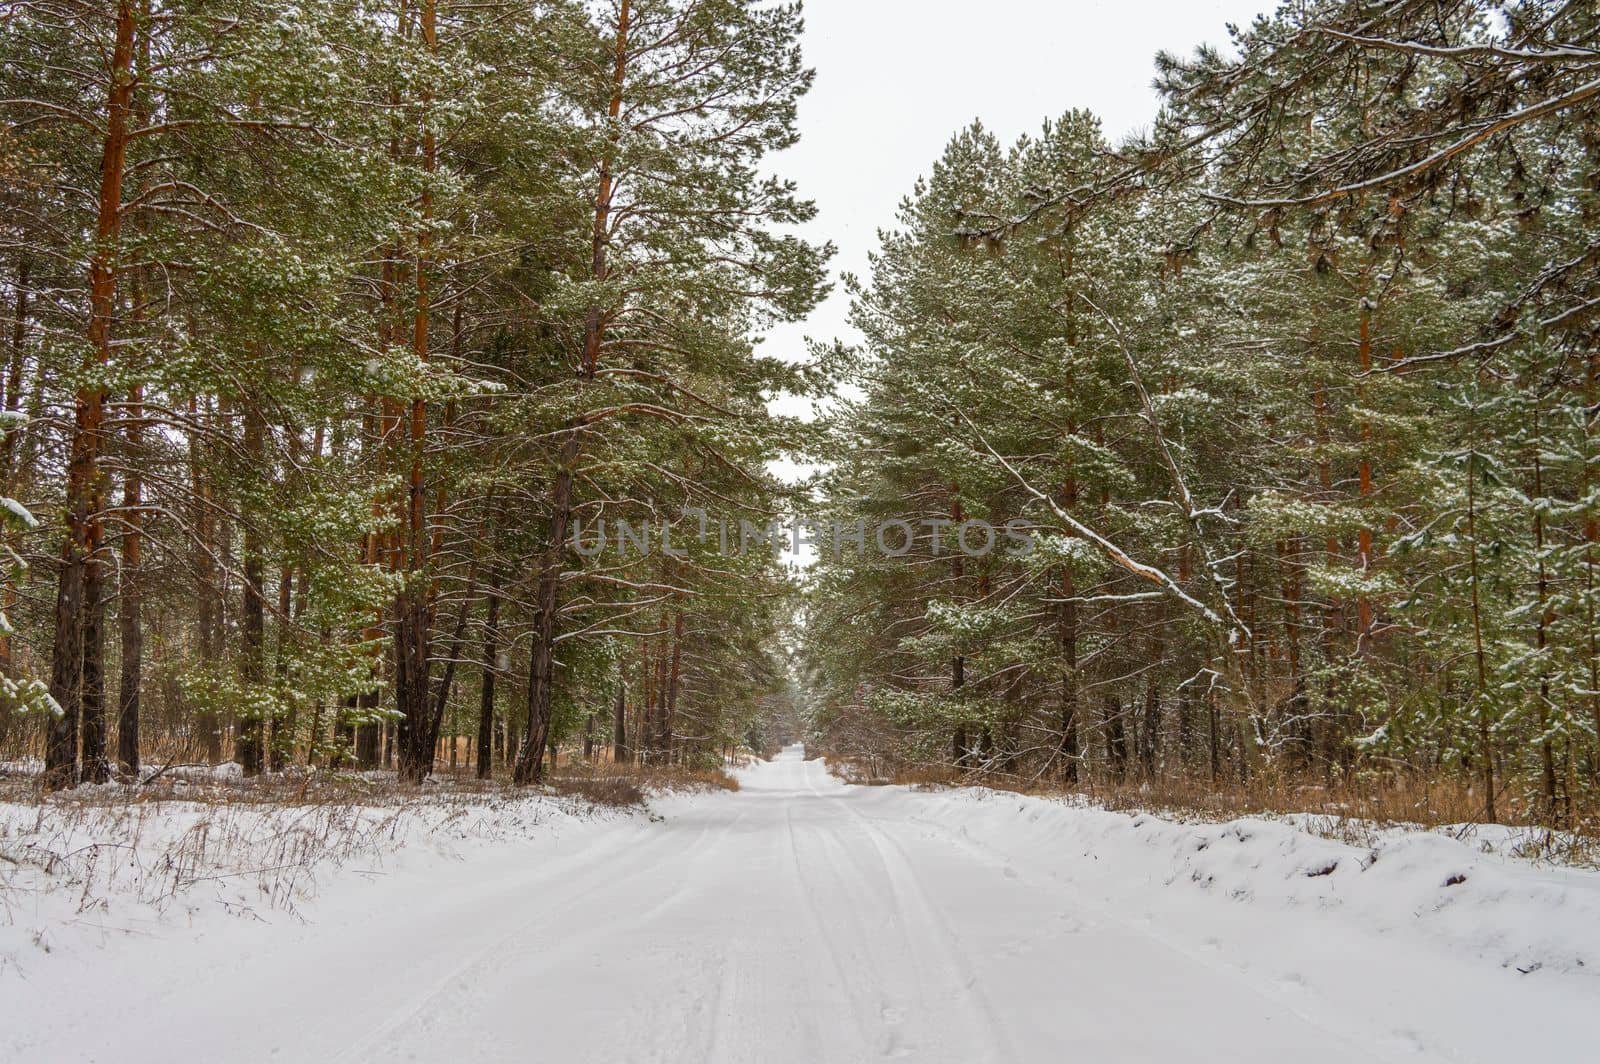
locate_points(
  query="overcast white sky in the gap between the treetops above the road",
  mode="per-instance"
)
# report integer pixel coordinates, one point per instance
(897, 79)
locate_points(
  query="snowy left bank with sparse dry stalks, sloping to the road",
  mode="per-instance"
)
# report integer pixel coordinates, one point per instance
(76, 876)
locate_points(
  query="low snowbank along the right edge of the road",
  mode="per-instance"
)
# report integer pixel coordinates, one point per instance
(1439, 892)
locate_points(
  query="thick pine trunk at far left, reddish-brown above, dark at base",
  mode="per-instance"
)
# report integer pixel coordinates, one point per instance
(76, 654)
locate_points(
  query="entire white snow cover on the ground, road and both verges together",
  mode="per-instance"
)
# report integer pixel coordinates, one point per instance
(794, 921)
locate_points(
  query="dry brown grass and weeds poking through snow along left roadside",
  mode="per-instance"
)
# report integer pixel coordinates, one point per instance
(262, 842)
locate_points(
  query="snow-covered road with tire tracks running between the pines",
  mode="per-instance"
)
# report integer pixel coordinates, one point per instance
(812, 922)
